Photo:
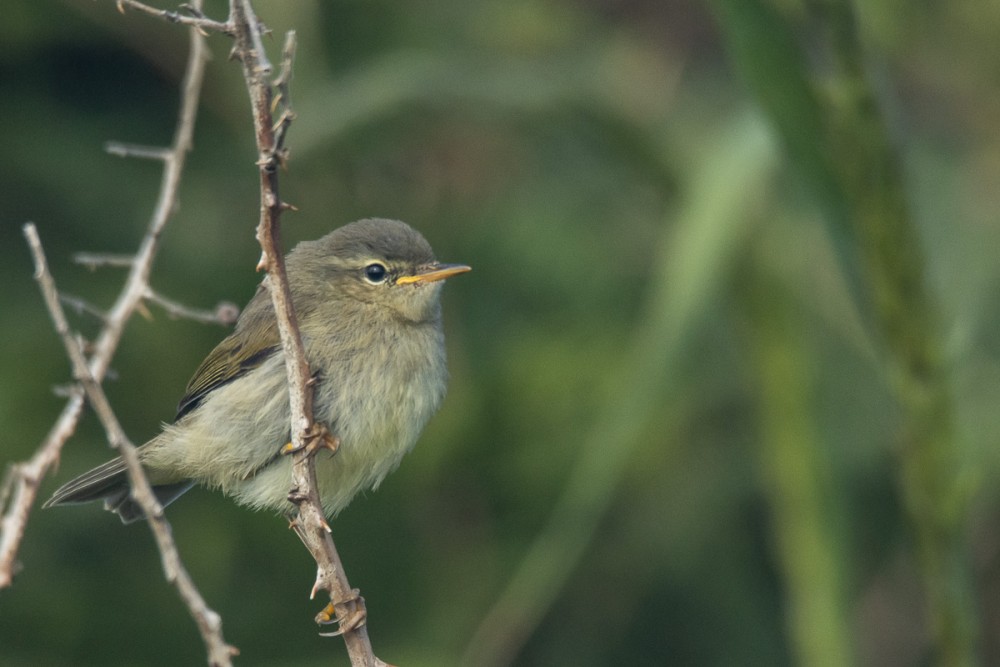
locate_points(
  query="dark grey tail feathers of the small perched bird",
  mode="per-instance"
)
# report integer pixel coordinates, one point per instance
(109, 482)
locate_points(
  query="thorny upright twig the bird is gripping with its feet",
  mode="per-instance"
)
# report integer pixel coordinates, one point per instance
(311, 525)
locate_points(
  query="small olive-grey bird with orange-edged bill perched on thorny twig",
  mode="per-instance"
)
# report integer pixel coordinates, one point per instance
(367, 301)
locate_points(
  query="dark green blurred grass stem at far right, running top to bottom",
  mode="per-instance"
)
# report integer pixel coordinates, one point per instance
(852, 169)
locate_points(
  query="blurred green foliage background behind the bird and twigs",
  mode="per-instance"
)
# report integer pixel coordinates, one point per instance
(724, 378)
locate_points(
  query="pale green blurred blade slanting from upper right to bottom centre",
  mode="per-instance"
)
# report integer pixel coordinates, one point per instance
(694, 260)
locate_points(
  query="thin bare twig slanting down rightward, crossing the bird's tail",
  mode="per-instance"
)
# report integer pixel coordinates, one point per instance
(208, 621)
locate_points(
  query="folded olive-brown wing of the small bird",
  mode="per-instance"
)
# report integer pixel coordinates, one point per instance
(253, 341)
